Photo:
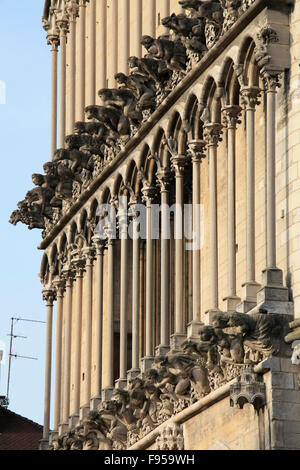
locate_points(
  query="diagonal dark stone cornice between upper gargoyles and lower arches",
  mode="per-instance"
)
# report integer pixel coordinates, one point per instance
(225, 40)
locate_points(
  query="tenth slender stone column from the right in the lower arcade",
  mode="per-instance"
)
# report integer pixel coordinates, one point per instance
(123, 226)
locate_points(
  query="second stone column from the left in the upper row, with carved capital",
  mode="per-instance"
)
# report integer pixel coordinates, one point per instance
(63, 29)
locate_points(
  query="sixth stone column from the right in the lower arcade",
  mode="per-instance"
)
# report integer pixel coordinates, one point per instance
(179, 162)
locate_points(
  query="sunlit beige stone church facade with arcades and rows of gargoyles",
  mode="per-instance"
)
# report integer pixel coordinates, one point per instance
(148, 331)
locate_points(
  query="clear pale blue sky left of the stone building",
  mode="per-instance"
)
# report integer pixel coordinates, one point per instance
(25, 68)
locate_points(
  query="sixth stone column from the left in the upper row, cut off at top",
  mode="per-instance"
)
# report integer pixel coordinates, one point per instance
(102, 30)
